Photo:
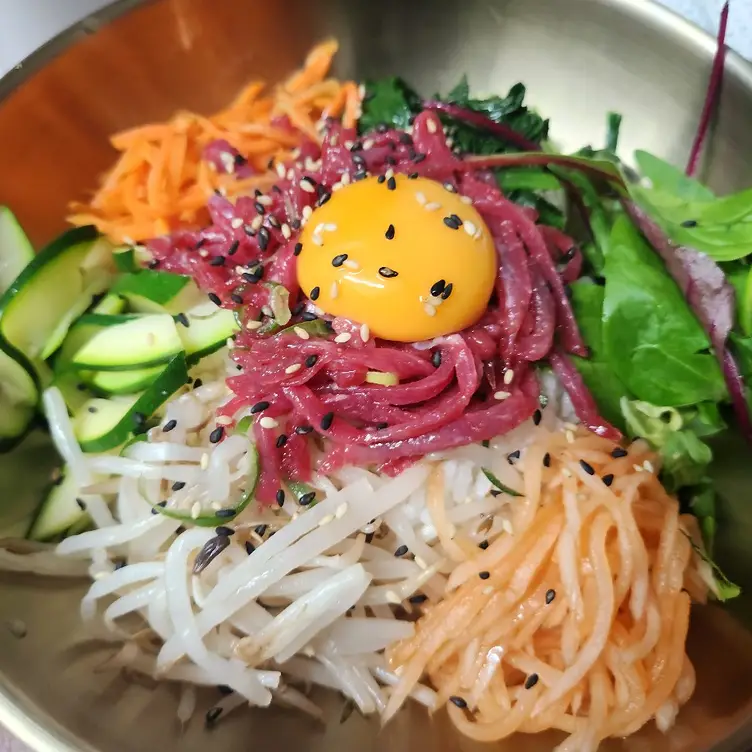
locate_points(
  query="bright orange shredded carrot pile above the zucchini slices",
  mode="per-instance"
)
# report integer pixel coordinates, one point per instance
(161, 180)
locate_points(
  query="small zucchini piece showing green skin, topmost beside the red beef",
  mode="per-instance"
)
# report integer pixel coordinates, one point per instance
(149, 291)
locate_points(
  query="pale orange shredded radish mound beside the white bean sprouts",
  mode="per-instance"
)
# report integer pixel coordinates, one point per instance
(576, 620)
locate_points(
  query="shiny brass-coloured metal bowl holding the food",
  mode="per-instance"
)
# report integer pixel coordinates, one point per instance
(580, 58)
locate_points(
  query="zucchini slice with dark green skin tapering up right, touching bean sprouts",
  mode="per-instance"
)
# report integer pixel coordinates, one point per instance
(104, 424)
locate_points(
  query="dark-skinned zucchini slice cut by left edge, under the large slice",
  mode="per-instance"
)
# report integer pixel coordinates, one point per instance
(19, 396)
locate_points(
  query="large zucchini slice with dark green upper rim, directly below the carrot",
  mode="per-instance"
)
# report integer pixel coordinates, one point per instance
(54, 290)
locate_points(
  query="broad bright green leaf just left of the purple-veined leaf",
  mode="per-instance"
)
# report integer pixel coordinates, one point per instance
(650, 336)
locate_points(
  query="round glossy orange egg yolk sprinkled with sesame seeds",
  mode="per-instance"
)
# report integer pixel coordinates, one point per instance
(406, 257)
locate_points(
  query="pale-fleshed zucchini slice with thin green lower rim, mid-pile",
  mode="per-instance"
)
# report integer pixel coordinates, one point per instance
(137, 343)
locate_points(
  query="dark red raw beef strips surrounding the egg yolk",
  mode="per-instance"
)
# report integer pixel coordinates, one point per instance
(318, 388)
